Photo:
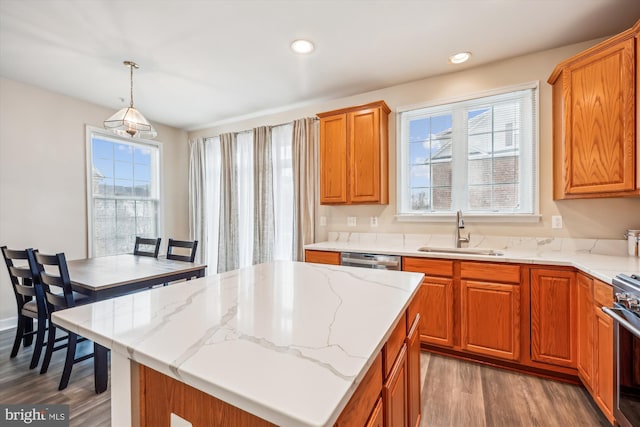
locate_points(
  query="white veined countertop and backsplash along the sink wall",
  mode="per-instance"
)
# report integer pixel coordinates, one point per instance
(602, 259)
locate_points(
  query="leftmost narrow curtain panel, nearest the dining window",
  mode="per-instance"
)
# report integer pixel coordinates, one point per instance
(197, 197)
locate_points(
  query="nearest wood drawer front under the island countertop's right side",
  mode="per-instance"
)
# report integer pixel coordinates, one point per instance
(359, 407)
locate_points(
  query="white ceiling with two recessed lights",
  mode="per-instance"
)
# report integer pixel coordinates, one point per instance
(205, 62)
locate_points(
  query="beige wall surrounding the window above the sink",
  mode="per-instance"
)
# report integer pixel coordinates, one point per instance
(598, 218)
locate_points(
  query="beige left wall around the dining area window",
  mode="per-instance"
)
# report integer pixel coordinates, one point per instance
(43, 181)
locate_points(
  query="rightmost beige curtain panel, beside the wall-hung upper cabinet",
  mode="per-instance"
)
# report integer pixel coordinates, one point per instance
(304, 151)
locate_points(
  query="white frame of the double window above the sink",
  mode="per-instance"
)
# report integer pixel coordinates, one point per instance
(402, 158)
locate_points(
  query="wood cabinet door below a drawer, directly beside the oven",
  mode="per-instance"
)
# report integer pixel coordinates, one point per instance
(604, 362)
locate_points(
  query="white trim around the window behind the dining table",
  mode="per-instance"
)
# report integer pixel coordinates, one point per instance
(92, 130)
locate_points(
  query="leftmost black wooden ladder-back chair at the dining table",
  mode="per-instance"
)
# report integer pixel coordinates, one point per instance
(30, 301)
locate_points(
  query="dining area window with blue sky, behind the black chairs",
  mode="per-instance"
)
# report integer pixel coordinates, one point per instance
(123, 192)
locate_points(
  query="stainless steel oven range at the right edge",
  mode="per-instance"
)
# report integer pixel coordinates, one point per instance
(626, 316)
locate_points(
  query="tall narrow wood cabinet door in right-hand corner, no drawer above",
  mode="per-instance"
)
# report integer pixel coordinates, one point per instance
(586, 321)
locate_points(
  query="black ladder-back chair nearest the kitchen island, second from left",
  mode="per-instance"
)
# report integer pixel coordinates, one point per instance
(59, 296)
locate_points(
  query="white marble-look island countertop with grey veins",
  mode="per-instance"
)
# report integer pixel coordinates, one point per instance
(286, 341)
